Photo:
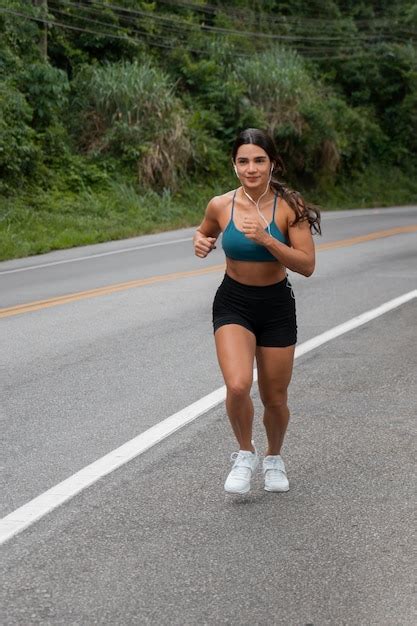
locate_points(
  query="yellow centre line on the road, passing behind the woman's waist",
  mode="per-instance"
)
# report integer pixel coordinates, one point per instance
(132, 284)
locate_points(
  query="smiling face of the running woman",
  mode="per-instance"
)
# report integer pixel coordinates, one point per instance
(253, 166)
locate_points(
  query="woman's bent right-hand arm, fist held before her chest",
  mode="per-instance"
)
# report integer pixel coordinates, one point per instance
(300, 257)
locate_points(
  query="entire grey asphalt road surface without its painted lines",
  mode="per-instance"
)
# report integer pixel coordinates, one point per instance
(157, 541)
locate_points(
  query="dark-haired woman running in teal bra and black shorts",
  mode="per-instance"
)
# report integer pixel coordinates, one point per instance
(267, 229)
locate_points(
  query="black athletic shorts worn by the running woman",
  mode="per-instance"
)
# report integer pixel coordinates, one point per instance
(268, 312)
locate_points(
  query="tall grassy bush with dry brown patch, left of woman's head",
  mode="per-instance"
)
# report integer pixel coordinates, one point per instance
(129, 110)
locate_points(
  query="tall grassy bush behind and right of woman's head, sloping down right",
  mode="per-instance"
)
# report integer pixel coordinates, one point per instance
(318, 133)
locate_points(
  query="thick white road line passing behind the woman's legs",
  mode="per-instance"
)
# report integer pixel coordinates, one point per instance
(29, 513)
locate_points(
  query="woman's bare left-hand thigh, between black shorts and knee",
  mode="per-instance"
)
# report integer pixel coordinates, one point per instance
(235, 346)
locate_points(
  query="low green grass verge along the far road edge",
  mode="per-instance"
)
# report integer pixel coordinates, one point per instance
(39, 221)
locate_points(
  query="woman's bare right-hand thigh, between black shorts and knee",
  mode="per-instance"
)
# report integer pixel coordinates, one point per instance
(275, 367)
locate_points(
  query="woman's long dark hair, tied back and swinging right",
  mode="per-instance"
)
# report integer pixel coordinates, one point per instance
(304, 212)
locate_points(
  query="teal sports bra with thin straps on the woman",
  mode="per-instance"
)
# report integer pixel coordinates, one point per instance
(238, 247)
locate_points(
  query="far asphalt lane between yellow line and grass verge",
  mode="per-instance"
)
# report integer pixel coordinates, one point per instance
(78, 269)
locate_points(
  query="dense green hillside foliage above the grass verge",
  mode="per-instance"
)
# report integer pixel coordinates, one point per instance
(152, 93)
